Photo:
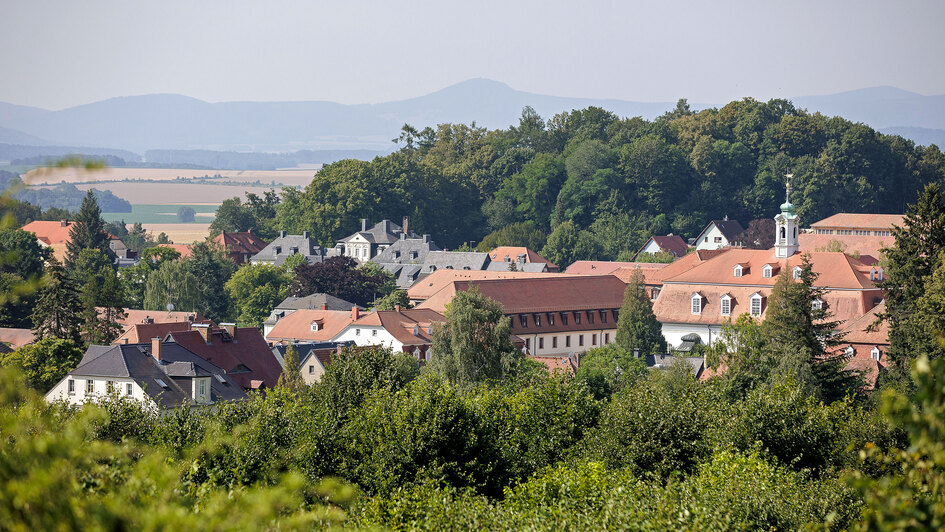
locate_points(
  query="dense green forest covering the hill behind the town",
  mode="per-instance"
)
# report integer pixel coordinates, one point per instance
(607, 183)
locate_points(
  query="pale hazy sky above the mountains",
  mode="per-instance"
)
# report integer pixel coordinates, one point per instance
(55, 54)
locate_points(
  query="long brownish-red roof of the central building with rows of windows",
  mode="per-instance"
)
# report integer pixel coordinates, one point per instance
(541, 294)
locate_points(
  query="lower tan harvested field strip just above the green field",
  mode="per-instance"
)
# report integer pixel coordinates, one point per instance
(172, 193)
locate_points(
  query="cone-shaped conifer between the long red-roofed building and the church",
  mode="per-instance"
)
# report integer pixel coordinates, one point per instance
(637, 326)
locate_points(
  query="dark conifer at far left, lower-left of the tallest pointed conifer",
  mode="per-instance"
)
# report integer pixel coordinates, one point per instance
(57, 310)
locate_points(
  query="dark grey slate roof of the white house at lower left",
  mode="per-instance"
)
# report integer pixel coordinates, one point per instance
(177, 366)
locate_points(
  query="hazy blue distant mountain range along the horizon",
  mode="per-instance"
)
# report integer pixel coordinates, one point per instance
(174, 122)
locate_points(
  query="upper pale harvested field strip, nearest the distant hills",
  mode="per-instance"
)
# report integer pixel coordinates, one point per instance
(53, 176)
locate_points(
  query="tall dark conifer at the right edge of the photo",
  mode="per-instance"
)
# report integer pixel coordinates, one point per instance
(916, 254)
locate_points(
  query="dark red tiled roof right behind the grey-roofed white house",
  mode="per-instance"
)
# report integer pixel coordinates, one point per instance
(247, 348)
